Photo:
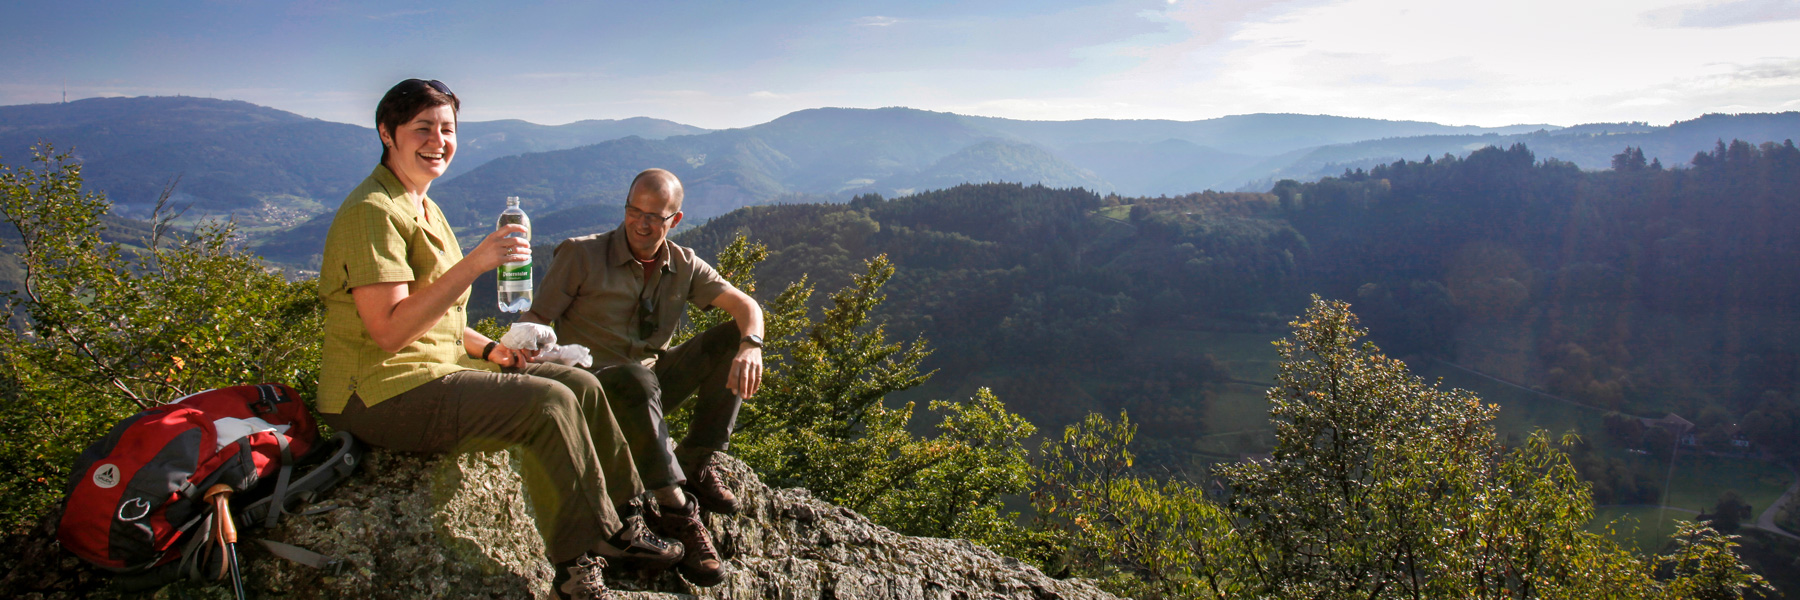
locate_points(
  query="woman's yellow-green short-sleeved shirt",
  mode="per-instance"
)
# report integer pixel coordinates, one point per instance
(381, 237)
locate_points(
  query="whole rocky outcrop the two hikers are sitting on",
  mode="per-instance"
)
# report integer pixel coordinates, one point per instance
(438, 527)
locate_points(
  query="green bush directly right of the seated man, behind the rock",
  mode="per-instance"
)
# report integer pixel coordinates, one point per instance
(820, 421)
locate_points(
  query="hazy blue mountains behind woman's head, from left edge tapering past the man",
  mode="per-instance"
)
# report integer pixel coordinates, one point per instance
(251, 161)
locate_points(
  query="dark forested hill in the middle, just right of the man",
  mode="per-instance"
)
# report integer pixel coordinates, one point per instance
(1043, 289)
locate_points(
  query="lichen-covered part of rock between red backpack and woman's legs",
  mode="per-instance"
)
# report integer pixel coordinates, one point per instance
(417, 527)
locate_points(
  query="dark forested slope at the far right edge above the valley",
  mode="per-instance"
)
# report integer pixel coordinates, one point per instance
(1639, 289)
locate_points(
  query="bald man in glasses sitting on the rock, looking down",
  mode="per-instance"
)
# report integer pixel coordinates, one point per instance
(622, 295)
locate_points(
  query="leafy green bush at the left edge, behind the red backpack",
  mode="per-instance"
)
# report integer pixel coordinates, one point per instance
(105, 327)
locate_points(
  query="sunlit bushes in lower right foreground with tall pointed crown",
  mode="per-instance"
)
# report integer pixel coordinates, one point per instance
(1381, 486)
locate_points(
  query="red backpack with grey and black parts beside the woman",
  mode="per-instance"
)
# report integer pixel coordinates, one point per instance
(138, 493)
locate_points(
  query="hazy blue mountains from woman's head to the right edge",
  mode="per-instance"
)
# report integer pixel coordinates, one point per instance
(831, 154)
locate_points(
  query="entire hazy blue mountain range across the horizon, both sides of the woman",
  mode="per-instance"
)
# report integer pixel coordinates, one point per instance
(283, 174)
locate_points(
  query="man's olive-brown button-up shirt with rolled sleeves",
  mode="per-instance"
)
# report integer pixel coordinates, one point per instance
(593, 291)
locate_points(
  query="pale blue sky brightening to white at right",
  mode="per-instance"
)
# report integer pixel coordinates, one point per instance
(739, 64)
